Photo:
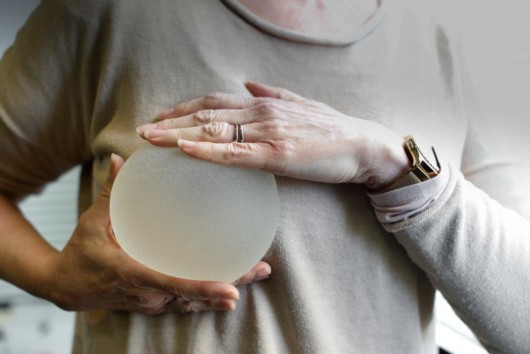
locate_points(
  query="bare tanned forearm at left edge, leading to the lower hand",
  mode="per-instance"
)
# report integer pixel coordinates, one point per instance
(25, 257)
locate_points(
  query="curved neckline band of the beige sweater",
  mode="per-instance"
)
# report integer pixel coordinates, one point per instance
(352, 37)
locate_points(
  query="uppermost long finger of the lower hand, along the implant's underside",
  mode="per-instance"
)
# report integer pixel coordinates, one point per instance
(188, 289)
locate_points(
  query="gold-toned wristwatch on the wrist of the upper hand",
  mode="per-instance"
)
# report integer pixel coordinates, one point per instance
(421, 168)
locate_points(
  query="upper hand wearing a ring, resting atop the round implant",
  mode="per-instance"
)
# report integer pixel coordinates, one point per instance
(284, 134)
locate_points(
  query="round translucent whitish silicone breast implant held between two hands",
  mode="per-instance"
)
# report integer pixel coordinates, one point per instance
(193, 219)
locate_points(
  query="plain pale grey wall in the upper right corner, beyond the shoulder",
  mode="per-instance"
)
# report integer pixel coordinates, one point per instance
(495, 37)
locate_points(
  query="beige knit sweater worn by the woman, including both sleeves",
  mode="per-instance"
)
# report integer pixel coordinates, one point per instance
(83, 74)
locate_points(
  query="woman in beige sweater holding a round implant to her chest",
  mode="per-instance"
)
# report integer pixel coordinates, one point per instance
(340, 281)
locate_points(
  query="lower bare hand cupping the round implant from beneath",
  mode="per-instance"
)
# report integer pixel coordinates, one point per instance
(93, 272)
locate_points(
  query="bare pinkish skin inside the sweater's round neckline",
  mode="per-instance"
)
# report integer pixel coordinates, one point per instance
(314, 16)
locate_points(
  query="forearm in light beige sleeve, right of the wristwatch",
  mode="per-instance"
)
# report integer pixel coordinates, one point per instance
(478, 254)
